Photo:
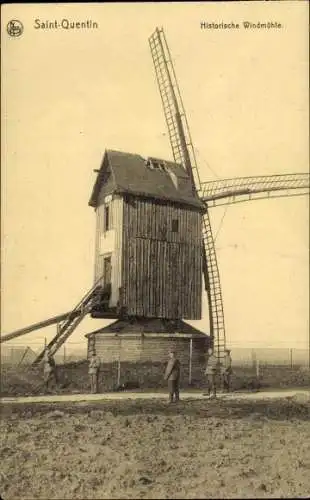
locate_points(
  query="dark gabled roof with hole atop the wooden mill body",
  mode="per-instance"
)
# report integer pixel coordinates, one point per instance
(129, 173)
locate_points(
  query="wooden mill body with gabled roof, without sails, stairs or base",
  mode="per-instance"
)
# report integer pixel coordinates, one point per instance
(148, 239)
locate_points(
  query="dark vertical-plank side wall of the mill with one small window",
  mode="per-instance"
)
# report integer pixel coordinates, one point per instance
(161, 269)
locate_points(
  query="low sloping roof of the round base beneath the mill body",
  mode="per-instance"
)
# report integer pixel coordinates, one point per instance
(151, 326)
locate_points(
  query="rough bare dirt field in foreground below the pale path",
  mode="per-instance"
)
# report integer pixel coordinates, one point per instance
(149, 449)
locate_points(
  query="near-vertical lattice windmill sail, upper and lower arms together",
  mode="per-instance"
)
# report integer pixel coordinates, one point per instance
(183, 152)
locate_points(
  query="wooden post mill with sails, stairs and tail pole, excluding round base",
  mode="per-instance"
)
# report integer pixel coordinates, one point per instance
(160, 195)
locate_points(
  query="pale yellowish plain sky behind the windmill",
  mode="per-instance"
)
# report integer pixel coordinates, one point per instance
(69, 95)
